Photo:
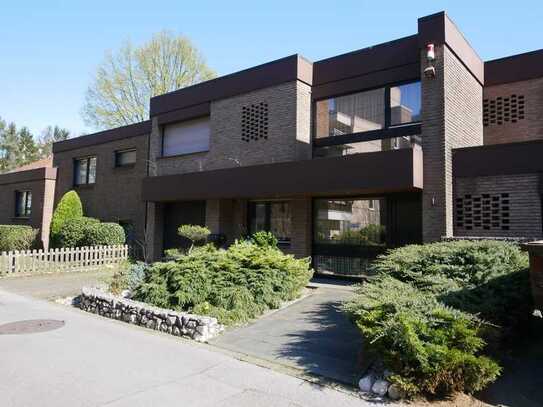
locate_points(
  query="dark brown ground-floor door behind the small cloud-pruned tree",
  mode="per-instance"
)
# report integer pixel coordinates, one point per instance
(181, 213)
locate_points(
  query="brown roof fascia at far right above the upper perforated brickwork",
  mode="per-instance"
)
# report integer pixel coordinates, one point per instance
(514, 68)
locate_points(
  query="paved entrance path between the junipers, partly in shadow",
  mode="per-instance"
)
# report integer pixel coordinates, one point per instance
(312, 335)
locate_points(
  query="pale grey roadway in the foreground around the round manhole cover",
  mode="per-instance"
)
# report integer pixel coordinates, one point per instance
(92, 361)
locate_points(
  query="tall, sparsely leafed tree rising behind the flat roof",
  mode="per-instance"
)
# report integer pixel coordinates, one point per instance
(127, 79)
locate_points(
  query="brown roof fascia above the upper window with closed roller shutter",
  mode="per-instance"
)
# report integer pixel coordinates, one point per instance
(288, 69)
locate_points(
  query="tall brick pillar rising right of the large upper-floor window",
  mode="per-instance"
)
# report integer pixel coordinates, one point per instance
(451, 118)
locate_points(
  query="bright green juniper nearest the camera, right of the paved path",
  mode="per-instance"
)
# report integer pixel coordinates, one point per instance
(431, 348)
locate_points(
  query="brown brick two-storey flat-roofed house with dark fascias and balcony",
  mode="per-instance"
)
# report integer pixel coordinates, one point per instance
(403, 142)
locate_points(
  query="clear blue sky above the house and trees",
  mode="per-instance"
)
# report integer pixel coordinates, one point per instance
(50, 49)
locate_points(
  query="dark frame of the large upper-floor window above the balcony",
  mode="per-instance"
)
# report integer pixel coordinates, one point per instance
(388, 131)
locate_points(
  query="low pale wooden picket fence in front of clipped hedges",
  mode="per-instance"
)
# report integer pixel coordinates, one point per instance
(61, 260)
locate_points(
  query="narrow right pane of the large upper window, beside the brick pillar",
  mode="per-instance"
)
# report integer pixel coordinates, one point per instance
(405, 103)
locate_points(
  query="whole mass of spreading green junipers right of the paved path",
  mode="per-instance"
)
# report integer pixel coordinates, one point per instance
(430, 311)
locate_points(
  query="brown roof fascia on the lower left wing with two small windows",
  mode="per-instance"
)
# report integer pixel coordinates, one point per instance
(119, 133)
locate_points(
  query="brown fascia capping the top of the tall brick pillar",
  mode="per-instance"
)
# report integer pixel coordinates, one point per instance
(440, 29)
